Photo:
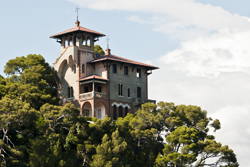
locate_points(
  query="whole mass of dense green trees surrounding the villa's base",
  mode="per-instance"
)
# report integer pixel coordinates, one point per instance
(36, 132)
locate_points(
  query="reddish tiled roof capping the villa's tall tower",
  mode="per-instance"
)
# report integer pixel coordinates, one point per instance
(77, 28)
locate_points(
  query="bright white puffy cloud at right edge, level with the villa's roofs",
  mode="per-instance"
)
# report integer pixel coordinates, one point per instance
(209, 56)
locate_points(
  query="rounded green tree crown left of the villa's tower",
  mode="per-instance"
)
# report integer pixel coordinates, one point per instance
(30, 79)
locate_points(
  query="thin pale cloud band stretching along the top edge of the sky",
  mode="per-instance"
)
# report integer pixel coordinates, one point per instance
(178, 14)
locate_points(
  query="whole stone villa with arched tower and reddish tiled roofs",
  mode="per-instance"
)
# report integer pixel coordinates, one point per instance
(98, 85)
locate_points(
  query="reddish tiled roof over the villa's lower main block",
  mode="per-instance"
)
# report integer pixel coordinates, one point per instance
(121, 59)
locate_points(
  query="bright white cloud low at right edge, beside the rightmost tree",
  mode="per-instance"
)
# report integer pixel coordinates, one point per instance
(232, 118)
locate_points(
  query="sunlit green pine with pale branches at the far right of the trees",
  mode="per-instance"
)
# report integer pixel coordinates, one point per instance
(187, 139)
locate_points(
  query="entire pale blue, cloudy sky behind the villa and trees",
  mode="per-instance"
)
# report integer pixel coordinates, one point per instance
(201, 47)
